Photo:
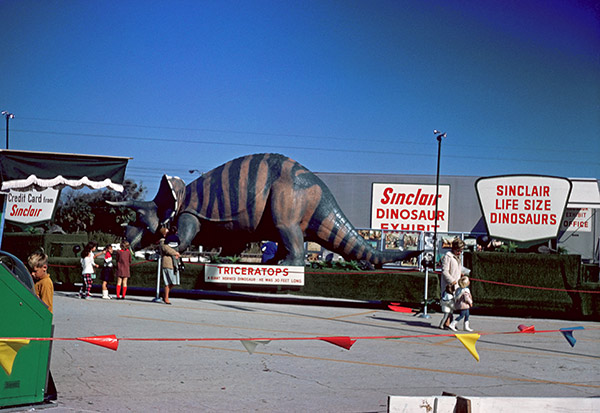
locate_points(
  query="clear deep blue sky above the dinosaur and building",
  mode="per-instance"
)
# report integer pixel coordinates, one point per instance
(340, 86)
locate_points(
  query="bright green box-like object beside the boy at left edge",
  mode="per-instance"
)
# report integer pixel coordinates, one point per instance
(23, 314)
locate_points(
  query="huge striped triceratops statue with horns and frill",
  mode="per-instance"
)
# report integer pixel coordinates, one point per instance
(253, 198)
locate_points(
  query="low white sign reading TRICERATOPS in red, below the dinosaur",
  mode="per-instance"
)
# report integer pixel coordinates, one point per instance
(254, 274)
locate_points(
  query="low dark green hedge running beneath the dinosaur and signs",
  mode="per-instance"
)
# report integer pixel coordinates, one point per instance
(552, 272)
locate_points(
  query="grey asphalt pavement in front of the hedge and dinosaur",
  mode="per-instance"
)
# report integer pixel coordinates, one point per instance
(214, 372)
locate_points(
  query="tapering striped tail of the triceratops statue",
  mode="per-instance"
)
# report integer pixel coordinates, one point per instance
(334, 231)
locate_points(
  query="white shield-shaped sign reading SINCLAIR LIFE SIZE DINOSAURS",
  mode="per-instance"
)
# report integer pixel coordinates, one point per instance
(523, 207)
